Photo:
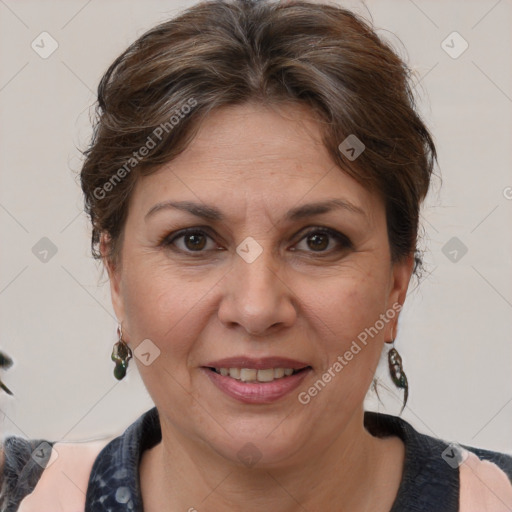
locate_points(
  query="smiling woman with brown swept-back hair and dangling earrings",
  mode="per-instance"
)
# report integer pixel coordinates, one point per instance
(254, 185)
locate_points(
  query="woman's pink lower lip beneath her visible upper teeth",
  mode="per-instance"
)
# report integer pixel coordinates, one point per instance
(257, 392)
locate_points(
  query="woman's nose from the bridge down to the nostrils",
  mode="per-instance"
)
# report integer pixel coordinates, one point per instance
(257, 297)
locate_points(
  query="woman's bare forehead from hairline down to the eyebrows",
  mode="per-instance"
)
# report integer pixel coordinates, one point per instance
(269, 156)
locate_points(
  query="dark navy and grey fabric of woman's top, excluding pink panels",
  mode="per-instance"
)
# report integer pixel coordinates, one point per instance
(430, 480)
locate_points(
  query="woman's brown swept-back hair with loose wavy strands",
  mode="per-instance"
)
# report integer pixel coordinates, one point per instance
(228, 52)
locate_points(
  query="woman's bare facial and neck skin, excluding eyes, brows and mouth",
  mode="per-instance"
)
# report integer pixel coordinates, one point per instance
(298, 299)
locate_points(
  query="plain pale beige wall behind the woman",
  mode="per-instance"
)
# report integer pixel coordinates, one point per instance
(455, 333)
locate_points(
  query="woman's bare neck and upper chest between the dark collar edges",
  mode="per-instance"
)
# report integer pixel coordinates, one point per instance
(180, 472)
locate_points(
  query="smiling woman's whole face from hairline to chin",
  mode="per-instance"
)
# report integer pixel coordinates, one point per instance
(252, 281)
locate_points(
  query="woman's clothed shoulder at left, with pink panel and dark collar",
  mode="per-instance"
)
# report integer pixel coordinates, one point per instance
(51, 473)
